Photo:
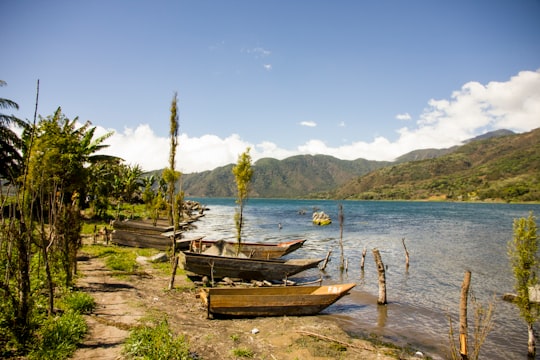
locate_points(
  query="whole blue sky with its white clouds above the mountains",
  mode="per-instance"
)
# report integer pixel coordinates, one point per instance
(371, 79)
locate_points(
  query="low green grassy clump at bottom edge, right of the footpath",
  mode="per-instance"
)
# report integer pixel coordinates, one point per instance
(156, 342)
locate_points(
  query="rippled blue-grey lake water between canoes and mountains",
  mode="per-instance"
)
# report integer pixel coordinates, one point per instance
(443, 239)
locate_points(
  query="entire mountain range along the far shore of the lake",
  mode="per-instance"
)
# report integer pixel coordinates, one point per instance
(497, 165)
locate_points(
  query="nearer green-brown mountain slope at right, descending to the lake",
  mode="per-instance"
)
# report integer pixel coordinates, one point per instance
(498, 167)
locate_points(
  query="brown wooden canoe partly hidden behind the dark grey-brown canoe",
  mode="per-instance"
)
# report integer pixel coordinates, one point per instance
(255, 250)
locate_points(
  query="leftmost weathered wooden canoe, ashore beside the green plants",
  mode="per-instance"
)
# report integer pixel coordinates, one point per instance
(134, 239)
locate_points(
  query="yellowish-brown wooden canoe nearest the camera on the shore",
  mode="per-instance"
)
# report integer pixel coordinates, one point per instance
(272, 301)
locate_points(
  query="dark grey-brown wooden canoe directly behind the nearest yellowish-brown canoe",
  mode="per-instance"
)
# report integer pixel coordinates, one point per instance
(243, 268)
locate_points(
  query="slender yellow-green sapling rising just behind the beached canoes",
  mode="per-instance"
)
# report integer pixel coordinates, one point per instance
(242, 174)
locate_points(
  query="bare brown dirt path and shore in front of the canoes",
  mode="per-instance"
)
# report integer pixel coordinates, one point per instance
(124, 302)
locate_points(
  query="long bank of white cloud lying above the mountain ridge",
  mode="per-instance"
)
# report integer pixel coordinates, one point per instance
(472, 110)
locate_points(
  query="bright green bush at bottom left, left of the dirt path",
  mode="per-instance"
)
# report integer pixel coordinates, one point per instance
(58, 336)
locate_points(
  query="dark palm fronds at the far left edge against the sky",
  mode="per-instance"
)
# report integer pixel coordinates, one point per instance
(10, 143)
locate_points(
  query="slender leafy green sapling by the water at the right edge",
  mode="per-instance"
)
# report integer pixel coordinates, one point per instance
(522, 251)
